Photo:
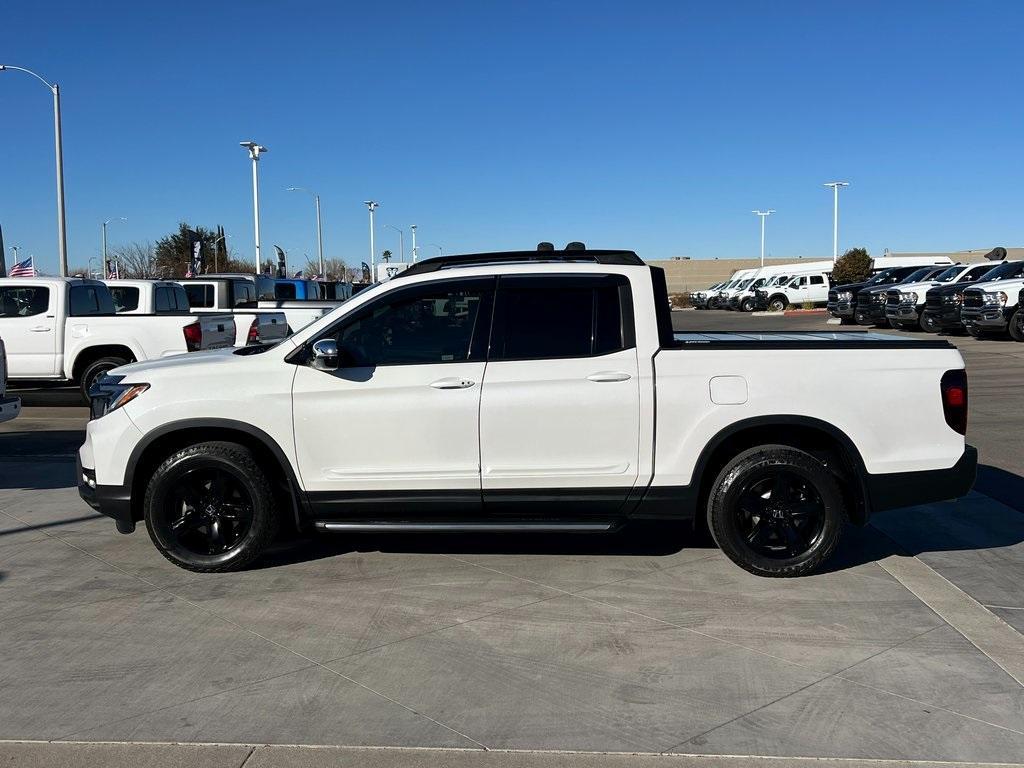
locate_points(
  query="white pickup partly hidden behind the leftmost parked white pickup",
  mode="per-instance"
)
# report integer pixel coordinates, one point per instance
(168, 297)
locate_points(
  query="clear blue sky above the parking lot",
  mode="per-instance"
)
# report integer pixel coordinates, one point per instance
(653, 126)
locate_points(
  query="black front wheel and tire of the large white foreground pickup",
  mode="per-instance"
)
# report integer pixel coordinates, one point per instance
(209, 507)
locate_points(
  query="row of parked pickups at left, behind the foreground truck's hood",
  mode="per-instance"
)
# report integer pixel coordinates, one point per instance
(73, 331)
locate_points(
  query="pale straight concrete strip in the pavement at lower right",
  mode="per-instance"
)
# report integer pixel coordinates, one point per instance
(985, 630)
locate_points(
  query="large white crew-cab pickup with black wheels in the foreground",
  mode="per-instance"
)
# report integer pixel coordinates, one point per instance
(517, 392)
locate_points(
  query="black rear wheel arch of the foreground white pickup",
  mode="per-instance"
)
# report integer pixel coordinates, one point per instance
(823, 441)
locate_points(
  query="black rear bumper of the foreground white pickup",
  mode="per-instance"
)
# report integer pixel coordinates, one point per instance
(910, 489)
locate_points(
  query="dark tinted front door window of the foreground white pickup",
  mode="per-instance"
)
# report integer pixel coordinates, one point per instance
(440, 323)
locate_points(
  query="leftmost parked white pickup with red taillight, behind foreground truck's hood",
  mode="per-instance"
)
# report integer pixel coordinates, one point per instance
(66, 330)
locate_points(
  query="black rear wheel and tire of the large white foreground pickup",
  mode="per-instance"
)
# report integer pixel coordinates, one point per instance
(777, 511)
